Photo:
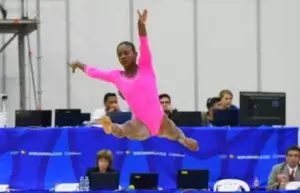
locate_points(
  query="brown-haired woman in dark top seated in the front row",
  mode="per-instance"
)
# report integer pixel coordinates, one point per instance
(104, 163)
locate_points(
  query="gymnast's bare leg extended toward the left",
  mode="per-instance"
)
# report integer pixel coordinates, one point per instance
(132, 129)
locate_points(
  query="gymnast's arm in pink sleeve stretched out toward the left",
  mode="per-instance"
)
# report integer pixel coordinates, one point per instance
(93, 72)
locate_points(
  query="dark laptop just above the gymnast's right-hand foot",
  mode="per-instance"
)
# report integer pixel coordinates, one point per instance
(188, 119)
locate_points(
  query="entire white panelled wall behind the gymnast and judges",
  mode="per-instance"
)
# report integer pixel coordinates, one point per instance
(226, 54)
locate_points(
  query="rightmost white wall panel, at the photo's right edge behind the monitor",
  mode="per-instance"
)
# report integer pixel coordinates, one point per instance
(281, 52)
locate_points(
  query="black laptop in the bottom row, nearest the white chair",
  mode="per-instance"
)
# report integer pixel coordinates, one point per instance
(192, 179)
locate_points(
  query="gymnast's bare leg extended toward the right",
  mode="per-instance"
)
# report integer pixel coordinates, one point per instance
(170, 131)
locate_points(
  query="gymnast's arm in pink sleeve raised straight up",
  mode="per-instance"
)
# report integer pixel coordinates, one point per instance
(145, 59)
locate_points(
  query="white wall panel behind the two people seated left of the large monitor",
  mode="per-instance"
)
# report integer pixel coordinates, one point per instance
(227, 47)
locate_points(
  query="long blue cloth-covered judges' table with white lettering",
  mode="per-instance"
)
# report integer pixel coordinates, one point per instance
(40, 158)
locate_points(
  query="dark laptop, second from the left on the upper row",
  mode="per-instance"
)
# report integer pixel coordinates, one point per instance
(68, 117)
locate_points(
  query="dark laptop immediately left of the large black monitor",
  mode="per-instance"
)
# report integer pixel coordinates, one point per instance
(228, 117)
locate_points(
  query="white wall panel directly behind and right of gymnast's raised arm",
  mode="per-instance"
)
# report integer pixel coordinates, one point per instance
(171, 35)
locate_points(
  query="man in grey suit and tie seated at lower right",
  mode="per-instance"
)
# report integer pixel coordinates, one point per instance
(287, 171)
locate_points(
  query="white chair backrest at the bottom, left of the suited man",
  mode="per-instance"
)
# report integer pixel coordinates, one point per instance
(231, 185)
